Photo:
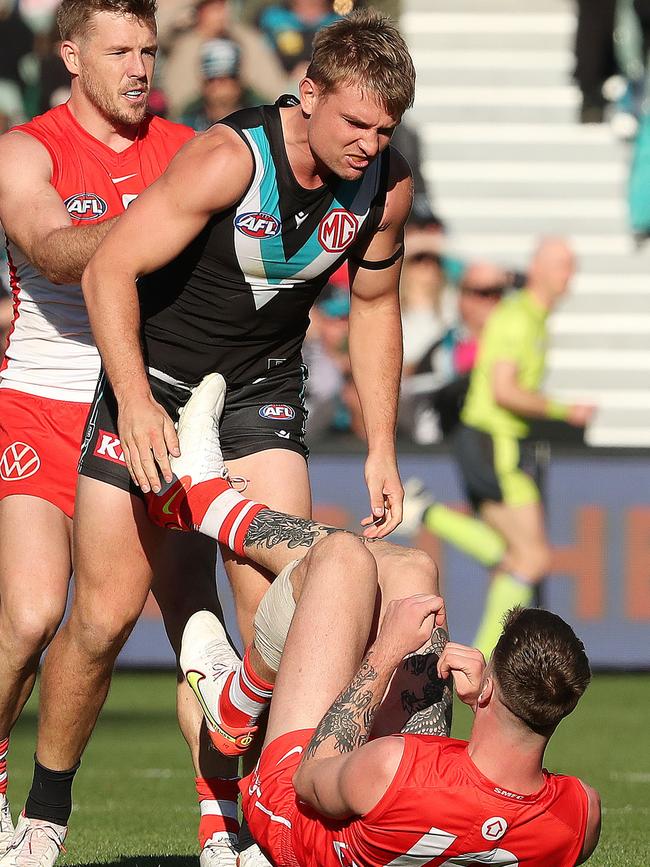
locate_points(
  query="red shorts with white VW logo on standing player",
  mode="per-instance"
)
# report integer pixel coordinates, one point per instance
(40, 441)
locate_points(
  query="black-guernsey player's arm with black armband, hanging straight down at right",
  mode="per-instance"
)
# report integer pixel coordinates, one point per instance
(376, 349)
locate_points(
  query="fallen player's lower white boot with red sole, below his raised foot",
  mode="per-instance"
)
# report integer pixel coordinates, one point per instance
(209, 663)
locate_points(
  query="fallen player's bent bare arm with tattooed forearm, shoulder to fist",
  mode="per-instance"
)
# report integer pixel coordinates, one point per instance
(340, 773)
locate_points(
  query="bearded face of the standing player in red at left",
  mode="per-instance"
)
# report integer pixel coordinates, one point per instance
(115, 66)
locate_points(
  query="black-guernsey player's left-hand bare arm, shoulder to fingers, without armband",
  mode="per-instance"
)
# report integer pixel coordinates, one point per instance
(209, 174)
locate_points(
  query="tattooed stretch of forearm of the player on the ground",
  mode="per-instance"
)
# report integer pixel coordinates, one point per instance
(347, 723)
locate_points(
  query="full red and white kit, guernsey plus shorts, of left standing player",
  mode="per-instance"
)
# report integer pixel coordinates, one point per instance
(51, 365)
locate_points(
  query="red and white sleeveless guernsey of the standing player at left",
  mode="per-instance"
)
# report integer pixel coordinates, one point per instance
(51, 351)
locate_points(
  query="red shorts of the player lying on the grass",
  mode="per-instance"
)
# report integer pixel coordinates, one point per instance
(269, 799)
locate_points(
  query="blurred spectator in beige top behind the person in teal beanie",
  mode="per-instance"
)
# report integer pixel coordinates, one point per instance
(181, 37)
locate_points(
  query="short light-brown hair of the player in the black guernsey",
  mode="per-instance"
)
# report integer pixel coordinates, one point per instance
(365, 49)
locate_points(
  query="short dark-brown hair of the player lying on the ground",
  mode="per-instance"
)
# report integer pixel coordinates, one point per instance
(540, 667)
